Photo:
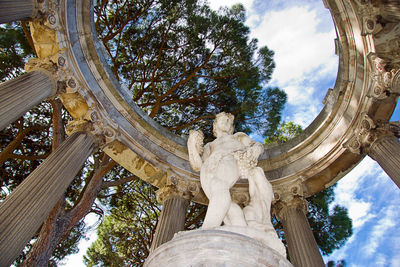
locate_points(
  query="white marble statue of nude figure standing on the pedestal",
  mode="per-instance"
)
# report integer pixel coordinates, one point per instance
(222, 163)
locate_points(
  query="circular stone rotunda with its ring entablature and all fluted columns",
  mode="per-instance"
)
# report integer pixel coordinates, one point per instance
(72, 66)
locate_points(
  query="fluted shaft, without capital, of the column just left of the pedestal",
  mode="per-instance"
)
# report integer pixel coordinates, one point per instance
(172, 220)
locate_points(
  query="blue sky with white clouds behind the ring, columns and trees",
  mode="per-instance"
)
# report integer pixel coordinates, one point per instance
(302, 35)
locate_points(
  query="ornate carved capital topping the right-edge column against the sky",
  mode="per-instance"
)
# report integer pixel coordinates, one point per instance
(366, 133)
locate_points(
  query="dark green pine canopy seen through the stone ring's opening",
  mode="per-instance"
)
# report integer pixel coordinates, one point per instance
(184, 63)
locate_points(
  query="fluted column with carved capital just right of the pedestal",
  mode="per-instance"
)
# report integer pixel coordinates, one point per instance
(303, 249)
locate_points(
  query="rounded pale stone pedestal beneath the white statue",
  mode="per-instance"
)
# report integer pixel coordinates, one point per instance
(200, 248)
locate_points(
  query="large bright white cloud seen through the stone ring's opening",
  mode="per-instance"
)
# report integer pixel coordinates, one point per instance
(300, 49)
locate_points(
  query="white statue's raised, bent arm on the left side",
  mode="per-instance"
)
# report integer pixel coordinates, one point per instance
(195, 149)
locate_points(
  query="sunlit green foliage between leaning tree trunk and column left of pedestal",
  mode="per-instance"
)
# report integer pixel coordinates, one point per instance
(124, 236)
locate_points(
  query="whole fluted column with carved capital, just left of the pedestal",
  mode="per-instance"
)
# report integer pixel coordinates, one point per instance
(173, 215)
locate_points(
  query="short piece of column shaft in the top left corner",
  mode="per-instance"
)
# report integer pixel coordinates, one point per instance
(12, 10)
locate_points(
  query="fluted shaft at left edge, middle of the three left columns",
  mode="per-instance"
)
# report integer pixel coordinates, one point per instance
(19, 95)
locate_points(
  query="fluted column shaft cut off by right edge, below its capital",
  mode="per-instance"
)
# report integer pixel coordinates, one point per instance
(386, 151)
